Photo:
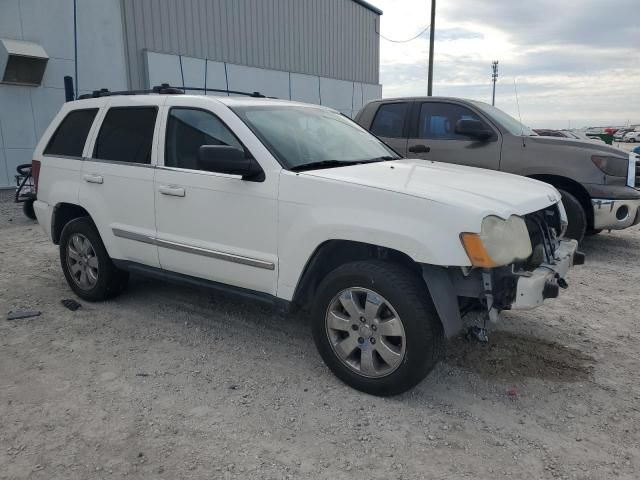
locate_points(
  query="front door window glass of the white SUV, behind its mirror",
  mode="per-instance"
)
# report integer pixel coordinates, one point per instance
(187, 130)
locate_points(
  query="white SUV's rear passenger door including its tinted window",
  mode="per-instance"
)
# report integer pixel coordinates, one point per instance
(117, 179)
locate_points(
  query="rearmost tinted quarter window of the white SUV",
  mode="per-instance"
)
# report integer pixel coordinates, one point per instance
(71, 135)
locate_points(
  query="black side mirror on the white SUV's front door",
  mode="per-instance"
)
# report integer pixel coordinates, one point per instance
(229, 160)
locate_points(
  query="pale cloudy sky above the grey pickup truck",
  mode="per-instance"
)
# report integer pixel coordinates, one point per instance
(573, 63)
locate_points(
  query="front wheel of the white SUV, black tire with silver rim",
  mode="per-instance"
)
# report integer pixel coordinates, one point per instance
(396, 293)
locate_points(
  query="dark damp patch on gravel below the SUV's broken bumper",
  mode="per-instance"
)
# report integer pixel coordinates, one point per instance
(508, 355)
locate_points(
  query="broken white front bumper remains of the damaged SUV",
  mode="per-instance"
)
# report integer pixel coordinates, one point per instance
(546, 280)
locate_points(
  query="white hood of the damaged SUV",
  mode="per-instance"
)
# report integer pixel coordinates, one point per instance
(489, 191)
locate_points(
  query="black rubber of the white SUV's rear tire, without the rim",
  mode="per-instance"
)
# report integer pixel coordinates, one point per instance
(110, 279)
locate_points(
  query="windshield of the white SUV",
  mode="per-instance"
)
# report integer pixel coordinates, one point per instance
(299, 136)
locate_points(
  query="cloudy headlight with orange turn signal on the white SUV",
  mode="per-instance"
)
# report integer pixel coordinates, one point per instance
(500, 242)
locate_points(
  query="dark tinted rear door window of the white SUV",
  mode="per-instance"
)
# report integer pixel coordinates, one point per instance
(126, 135)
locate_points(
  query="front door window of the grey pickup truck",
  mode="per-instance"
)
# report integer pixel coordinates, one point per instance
(438, 120)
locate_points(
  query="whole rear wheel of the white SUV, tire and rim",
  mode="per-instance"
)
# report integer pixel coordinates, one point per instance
(102, 279)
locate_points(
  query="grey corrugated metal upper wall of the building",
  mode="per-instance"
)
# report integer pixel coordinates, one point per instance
(330, 38)
